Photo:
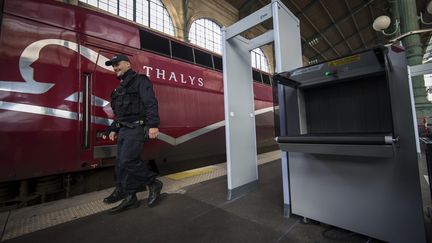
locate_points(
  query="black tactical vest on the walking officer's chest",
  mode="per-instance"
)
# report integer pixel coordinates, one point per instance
(126, 102)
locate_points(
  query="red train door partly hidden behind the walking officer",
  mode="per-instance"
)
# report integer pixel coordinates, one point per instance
(98, 81)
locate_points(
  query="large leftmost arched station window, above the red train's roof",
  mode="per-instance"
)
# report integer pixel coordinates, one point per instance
(151, 13)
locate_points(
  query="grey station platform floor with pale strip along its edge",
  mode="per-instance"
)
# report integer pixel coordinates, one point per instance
(193, 209)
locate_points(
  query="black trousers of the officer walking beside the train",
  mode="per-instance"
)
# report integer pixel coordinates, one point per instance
(131, 172)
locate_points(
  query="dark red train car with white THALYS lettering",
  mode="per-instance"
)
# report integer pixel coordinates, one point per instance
(55, 93)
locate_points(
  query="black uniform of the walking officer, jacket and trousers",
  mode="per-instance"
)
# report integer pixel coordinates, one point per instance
(136, 109)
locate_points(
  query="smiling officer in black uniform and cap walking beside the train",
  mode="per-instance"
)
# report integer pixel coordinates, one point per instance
(136, 110)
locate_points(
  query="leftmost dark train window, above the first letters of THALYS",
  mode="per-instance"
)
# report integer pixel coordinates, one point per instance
(155, 43)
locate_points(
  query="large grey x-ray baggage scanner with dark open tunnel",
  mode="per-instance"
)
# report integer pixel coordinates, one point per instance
(347, 125)
